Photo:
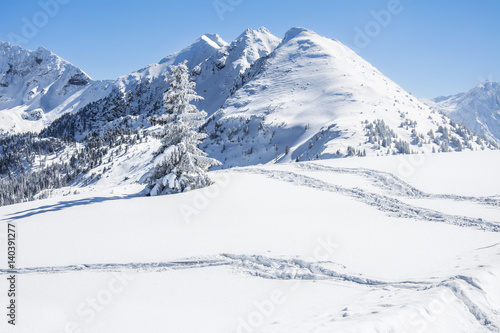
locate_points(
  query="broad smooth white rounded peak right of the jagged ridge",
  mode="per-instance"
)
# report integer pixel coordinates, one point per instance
(315, 98)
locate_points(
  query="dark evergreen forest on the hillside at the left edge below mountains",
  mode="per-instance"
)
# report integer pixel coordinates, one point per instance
(25, 175)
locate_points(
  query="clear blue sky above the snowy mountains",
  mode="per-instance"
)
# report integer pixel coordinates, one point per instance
(429, 47)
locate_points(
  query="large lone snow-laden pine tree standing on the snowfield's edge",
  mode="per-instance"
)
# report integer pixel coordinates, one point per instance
(179, 164)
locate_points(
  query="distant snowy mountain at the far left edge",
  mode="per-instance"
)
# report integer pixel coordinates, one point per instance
(37, 87)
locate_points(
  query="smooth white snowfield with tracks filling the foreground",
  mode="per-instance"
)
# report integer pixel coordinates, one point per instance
(375, 244)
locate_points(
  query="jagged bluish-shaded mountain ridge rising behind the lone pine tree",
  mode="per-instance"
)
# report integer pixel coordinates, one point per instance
(217, 68)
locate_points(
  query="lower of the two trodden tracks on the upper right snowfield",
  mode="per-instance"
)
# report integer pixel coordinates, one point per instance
(392, 206)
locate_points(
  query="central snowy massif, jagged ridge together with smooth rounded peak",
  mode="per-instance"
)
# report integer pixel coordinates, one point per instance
(303, 97)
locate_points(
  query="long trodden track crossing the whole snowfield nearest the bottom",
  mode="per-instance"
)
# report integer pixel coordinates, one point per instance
(463, 288)
